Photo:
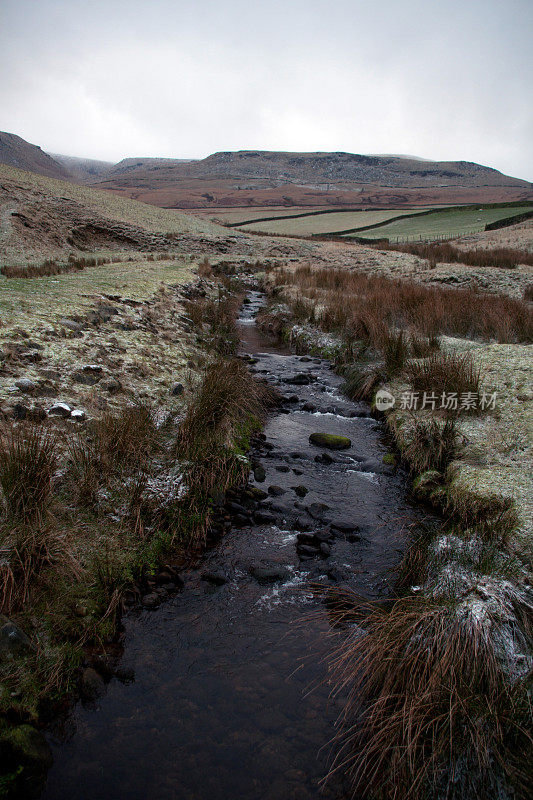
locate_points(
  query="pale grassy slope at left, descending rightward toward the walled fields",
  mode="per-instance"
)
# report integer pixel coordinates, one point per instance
(42, 216)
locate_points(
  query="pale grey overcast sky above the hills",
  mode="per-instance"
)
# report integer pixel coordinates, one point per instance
(449, 80)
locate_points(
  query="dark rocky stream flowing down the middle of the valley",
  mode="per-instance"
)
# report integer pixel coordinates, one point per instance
(231, 696)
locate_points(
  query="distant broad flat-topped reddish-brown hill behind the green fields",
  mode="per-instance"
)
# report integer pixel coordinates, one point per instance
(256, 178)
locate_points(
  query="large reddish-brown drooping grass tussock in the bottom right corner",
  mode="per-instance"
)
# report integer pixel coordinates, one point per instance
(430, 710)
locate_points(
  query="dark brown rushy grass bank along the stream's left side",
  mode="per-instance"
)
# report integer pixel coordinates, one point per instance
(99, 514)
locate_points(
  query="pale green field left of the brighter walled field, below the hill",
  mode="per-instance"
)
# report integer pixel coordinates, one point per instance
(316, 224)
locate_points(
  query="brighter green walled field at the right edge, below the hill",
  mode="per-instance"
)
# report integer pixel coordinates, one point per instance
(442, 224)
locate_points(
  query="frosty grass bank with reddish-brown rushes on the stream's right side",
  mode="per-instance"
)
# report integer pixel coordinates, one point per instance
(439, 681)
